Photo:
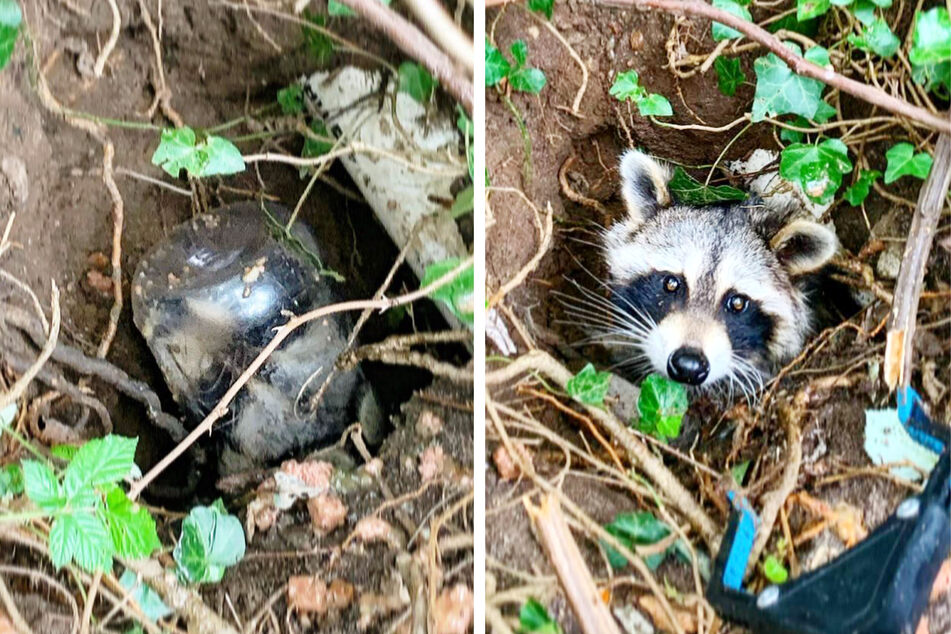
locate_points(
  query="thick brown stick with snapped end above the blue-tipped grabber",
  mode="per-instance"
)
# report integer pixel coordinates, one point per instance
(901, 331)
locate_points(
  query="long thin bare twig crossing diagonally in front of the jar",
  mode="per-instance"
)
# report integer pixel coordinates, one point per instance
(279, 336)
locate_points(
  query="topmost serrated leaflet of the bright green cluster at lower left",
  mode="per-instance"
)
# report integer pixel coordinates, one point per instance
(99, 462)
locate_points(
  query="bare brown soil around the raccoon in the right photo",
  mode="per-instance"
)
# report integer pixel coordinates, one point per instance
(611, 41)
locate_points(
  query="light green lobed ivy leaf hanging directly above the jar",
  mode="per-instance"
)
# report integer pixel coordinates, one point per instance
(180, 149)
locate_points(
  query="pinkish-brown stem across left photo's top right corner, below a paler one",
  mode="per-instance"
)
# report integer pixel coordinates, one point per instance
(414, 43)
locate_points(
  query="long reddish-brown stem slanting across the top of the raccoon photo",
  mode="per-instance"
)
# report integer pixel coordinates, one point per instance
(797, 63)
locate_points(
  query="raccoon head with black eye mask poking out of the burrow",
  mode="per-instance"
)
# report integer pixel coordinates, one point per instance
(712, 293)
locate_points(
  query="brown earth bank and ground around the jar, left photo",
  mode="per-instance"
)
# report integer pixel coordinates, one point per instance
(219, 67)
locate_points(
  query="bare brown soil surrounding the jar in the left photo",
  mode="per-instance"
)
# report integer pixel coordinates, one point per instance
(221, 62)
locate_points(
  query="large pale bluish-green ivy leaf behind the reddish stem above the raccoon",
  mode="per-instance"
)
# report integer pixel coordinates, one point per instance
(780, 91)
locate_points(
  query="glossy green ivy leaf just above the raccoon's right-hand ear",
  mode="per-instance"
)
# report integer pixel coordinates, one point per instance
(818, 169)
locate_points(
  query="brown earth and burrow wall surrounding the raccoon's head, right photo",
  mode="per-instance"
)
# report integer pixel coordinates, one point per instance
(572, 167)
